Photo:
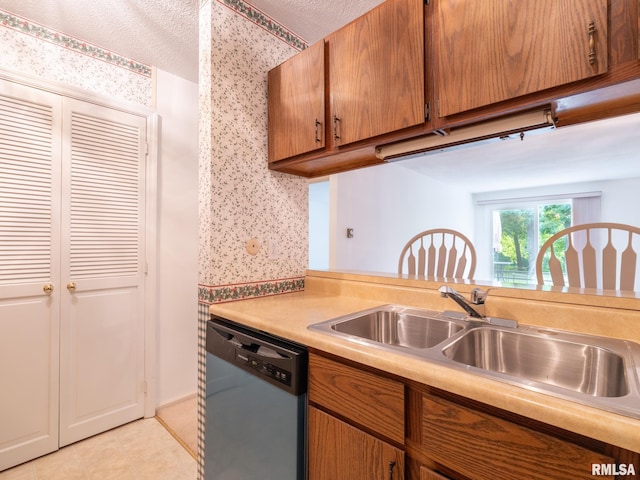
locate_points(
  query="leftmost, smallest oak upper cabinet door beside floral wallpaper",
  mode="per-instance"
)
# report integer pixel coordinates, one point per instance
(296, 104)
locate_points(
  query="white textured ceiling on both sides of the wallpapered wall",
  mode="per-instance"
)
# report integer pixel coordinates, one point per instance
(164, 33)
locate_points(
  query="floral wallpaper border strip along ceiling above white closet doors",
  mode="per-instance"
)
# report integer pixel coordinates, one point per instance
(23, 25)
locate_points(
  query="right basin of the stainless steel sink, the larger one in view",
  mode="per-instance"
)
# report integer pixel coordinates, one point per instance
(579, 367)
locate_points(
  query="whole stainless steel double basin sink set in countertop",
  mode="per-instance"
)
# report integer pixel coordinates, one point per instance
(596, 371)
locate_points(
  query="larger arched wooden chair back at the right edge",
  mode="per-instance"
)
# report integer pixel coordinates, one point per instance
(596, 255)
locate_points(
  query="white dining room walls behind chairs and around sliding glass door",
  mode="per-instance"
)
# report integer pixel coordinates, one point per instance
(388, 204)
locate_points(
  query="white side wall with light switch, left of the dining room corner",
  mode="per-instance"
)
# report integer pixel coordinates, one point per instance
(386, 205)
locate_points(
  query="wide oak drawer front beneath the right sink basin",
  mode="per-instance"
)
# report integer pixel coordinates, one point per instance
(481, 446)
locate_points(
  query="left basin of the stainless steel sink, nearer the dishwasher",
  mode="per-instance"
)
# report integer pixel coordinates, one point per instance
(396, 326)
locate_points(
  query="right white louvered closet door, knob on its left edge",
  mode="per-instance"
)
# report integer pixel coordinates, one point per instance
(103, 225)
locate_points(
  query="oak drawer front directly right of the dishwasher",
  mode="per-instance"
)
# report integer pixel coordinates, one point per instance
(371, 401)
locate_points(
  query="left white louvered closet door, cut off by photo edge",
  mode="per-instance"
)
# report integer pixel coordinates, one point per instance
(29, 272)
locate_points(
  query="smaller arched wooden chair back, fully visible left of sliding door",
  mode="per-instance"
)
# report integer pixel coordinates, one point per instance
(438, 253)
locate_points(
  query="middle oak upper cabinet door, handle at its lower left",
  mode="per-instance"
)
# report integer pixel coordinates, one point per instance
(376, 72)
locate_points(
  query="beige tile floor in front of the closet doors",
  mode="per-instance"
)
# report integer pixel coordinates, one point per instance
(140, 450)
